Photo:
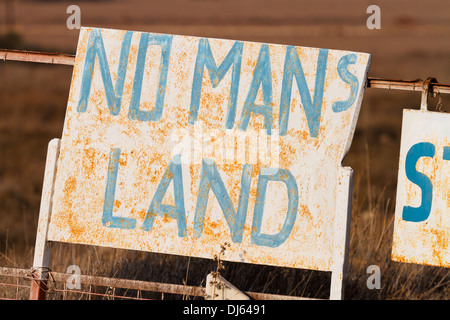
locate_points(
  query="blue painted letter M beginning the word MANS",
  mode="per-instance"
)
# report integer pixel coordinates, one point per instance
(205, 59)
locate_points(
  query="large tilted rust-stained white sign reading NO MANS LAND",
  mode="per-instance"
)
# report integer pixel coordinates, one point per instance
(179, 144)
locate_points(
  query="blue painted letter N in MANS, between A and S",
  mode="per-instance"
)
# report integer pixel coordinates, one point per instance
(313, 109)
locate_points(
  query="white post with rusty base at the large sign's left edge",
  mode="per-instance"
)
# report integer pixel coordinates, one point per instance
(42, 250)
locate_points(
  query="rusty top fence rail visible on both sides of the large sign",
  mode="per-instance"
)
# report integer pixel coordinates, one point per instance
(68, 59)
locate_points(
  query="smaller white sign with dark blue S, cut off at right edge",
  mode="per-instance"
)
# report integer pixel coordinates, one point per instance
(422, 215)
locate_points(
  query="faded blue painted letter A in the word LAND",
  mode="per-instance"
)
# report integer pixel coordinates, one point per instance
(177, 212)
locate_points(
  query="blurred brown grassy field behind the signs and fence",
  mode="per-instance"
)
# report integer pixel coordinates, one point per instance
(412, 43)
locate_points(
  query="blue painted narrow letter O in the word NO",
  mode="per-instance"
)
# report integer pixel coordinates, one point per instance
(165, 42)
